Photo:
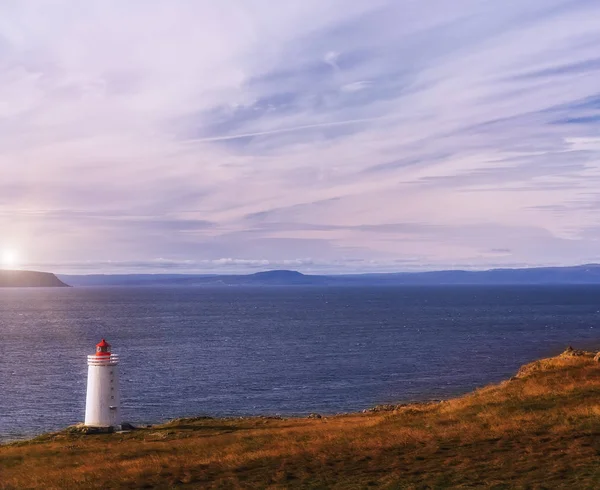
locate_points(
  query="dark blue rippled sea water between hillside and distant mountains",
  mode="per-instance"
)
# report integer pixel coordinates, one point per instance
(289, 351)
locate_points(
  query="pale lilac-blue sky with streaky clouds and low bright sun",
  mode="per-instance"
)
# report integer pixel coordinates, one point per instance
(318, 135)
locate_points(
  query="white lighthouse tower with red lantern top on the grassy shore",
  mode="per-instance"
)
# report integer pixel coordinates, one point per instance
(103, 406)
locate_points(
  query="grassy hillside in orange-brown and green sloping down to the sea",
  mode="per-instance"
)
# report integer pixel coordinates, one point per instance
(541, 429)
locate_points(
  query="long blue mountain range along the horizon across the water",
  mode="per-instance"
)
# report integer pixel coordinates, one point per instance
(584, 274)
